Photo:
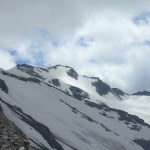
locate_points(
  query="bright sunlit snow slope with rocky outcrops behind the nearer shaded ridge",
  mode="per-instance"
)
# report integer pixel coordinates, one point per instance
(59, 77)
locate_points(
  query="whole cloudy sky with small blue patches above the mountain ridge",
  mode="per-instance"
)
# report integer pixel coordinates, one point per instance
(108, 39)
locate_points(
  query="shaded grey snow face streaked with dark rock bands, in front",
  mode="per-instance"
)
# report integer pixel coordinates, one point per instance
(54, 120)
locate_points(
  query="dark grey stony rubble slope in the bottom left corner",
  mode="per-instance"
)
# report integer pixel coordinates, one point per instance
(11, 138)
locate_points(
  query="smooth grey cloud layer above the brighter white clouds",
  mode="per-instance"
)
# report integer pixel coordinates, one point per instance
(58, 17)
